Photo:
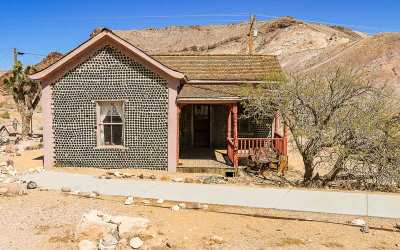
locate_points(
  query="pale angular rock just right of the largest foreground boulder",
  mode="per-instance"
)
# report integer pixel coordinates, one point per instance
(132, 226)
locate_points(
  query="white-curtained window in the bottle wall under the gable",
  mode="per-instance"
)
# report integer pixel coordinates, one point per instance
(110, 125)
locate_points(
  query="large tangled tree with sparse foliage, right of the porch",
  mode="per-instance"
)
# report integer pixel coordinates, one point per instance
(336, 117)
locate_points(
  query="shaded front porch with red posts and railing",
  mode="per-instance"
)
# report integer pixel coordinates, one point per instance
(212, 137)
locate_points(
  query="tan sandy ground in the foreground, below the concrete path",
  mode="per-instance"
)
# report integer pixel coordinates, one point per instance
(46, 219)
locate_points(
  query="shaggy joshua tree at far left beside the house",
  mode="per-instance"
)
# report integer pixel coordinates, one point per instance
(26, 93)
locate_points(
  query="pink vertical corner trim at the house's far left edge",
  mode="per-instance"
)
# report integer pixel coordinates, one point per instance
(47, 127)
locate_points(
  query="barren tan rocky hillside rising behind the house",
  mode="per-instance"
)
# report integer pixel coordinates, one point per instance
(299, 45)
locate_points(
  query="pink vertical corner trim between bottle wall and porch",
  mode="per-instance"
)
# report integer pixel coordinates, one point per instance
(172, 125)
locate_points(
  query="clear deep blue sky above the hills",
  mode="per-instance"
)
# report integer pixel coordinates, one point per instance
(40, 27)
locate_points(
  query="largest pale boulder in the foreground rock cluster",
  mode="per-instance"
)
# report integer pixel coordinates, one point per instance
(92, 227)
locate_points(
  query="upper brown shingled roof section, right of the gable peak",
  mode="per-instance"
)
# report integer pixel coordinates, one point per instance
(222, 67)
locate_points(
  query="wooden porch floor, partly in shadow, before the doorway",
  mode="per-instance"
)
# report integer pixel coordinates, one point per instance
(204, 158)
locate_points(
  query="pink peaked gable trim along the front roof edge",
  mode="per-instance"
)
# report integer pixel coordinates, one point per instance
(80, 54)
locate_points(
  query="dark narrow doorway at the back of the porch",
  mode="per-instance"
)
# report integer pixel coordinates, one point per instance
(201, 125)
